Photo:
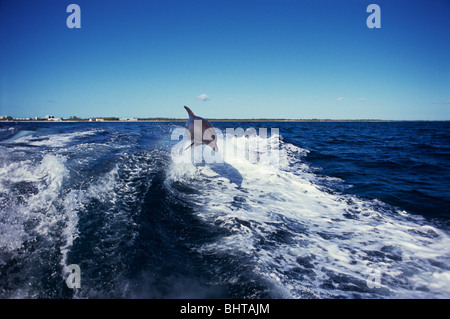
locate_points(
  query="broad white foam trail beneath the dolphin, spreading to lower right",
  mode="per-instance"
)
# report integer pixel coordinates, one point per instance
(311, 241)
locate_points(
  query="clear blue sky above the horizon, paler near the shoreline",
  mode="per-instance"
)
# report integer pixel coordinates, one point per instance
(226, 59)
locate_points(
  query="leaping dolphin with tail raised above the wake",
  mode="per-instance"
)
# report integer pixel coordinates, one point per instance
(200, 131)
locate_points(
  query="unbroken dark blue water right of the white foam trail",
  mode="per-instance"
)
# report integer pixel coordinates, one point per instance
(405, 164)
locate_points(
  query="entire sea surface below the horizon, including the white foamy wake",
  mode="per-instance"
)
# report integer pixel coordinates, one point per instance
(322, 210)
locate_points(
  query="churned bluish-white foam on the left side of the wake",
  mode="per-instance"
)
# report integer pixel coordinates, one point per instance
(44, 194)
